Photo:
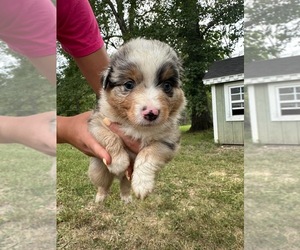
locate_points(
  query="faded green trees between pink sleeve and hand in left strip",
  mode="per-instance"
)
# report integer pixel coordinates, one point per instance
(23, 91)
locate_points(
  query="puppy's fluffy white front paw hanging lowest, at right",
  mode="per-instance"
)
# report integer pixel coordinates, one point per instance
(142, 184)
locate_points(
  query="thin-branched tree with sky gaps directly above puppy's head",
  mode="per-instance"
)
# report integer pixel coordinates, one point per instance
(122, 20)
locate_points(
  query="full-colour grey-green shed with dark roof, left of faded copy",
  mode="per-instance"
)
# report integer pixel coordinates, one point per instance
(226, 79)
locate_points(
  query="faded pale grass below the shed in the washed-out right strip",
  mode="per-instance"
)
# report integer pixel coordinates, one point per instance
(272, 207)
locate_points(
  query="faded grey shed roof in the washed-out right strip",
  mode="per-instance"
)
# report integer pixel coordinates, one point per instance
(273, 67)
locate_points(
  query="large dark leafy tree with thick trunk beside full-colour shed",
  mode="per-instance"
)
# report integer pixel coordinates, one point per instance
(202, 29)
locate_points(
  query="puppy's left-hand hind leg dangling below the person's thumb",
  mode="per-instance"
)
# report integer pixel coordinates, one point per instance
(101, 178)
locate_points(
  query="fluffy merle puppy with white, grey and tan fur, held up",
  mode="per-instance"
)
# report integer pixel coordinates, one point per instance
(142, 92)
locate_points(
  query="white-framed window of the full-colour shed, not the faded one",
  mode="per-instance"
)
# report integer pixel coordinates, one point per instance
(234, 102)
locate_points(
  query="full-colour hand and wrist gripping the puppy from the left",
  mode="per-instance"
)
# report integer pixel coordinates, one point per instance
(74, 130)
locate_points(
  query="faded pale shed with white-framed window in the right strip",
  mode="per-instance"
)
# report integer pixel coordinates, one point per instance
(274, 100)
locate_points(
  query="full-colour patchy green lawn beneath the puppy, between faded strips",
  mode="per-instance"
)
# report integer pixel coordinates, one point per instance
(197, 203)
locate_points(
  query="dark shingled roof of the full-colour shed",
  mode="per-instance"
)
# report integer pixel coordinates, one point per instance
(230, 66)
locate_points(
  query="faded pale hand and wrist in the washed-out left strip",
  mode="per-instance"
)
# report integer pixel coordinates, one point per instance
(33, 131)
